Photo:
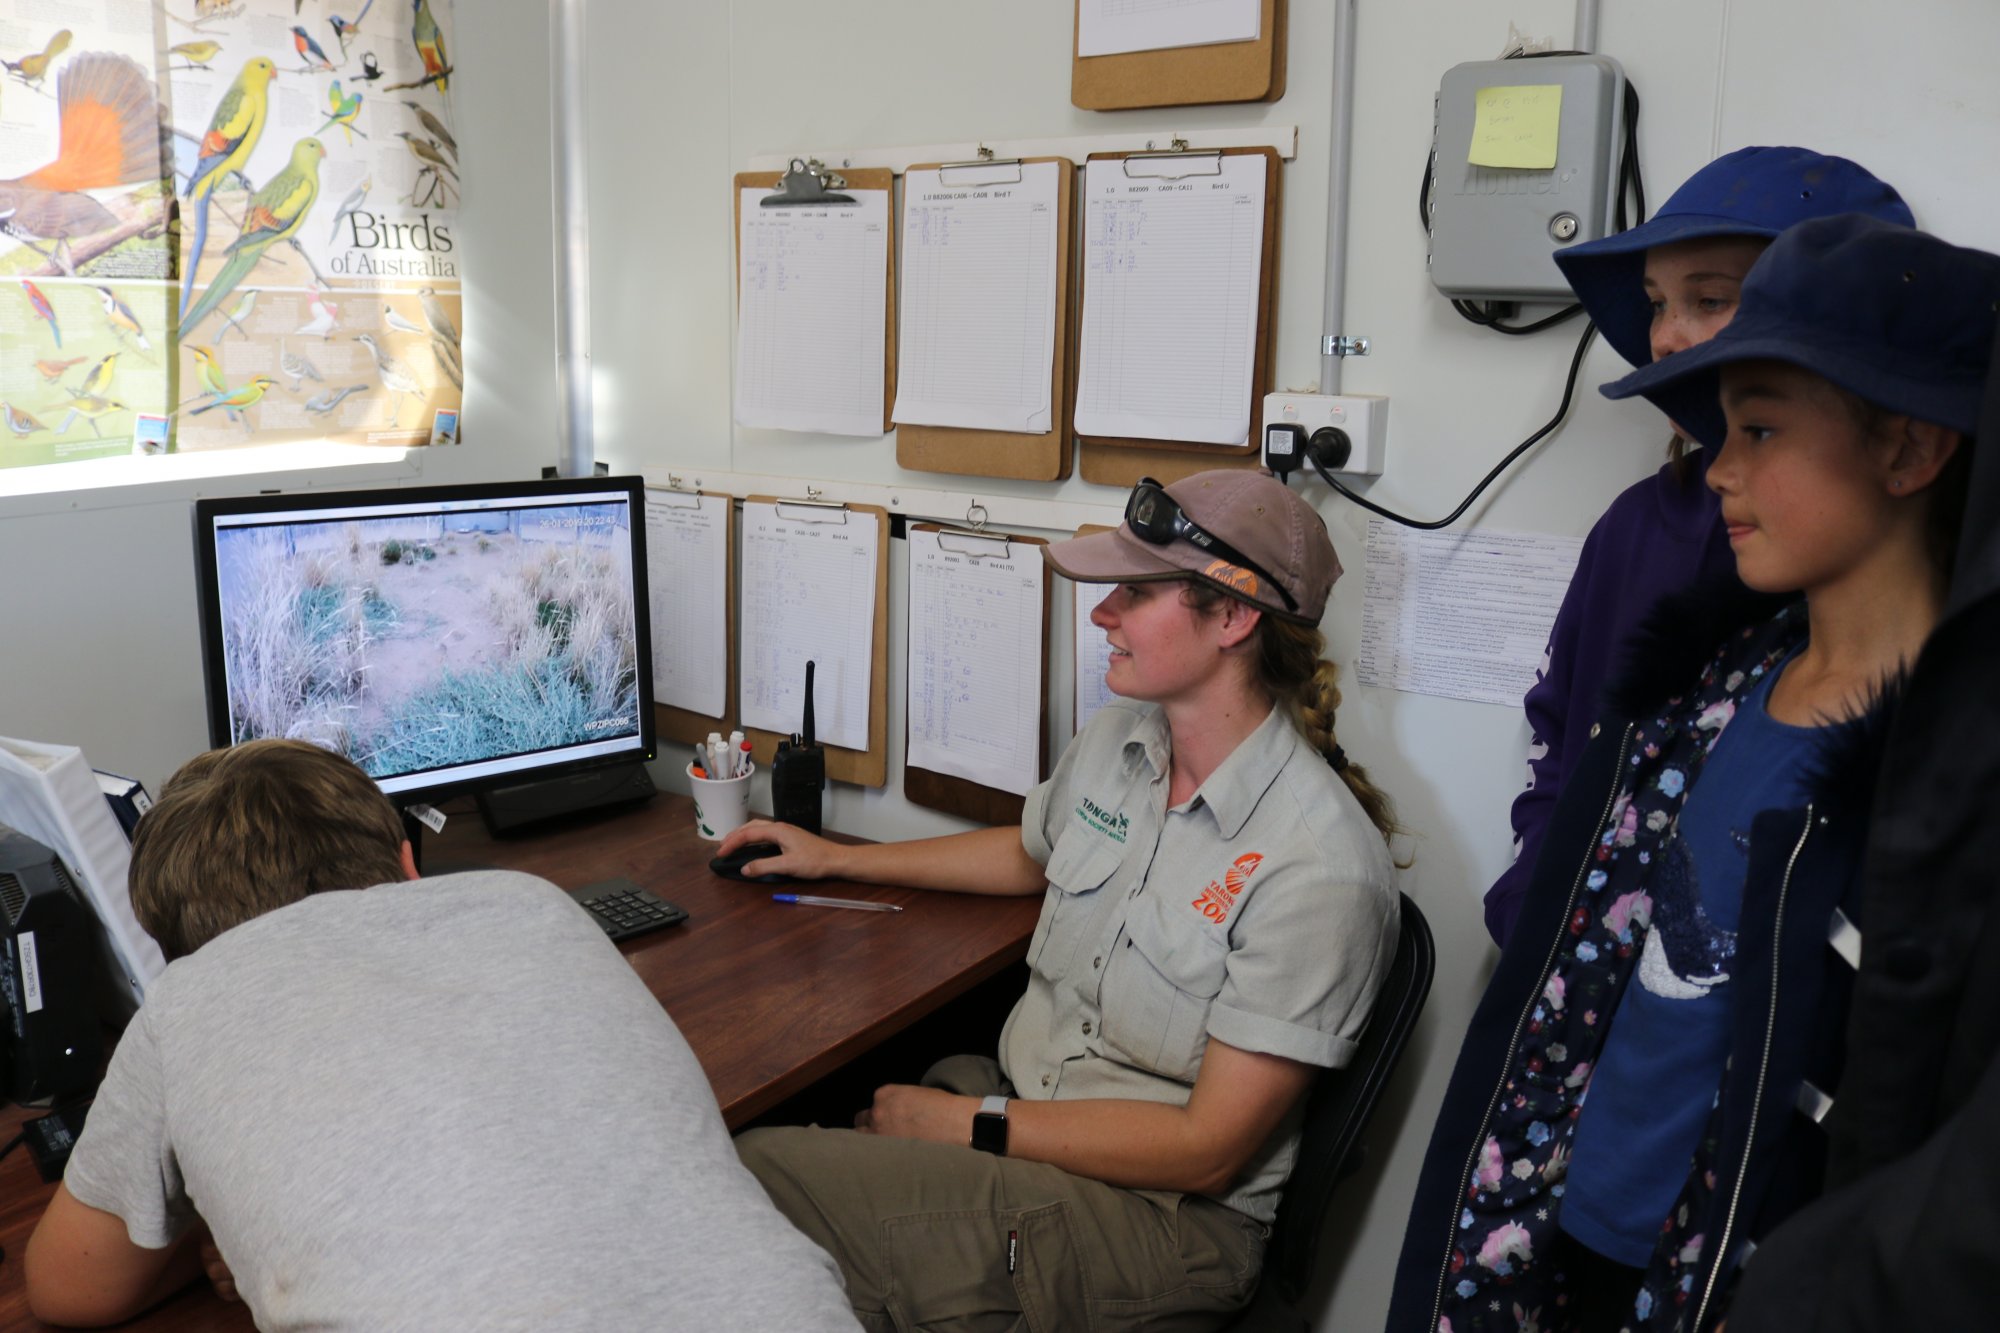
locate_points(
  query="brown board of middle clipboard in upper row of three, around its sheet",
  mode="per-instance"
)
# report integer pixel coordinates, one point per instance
(1003, 453)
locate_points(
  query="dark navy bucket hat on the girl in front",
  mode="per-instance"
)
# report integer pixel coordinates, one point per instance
(1889, 313)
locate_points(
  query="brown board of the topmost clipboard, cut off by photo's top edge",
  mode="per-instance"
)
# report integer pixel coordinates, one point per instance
(1185, 75)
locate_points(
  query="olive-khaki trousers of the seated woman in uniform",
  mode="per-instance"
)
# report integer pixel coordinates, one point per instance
(951, 1240)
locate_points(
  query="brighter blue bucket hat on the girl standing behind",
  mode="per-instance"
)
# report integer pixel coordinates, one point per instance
(1745, 193)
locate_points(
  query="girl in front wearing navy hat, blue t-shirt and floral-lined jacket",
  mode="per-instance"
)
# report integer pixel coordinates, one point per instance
(1639, 1100)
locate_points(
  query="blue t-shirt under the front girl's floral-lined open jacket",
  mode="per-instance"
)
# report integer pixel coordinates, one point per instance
(1663, 1060)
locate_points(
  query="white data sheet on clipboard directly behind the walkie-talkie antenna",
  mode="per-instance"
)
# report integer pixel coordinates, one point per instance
(809, 595)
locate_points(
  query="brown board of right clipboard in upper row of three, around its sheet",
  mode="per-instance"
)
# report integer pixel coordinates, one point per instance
(1173, 459)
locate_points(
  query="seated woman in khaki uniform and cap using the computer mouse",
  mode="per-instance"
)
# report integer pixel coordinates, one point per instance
(1219, 914)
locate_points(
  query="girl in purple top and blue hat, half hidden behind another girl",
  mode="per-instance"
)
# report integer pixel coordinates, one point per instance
(1653, 291)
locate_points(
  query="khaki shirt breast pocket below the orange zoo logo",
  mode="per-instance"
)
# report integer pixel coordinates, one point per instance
(1159, 988)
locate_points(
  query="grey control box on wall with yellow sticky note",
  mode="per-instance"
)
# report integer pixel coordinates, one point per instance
(1495, 229)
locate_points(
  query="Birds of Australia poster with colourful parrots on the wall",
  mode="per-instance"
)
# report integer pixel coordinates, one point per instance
(233, 215)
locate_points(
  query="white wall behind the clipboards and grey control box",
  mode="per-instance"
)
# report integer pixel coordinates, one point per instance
(97, 603)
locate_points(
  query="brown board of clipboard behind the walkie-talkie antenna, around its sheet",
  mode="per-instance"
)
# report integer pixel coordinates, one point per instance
(861, 766)
